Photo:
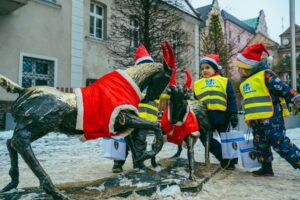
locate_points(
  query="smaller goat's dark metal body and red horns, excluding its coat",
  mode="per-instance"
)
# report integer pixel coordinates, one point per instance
(179, 104)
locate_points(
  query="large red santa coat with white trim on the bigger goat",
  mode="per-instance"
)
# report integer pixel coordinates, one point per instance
(100, 103)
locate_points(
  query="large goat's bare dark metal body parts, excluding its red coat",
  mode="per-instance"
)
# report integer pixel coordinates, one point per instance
(39, 110)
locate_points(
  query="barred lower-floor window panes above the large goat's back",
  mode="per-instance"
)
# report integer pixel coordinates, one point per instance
(37, 72)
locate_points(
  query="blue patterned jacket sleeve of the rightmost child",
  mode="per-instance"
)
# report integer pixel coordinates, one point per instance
(278, 87)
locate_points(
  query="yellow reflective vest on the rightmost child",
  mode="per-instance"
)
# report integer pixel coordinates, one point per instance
(257, 99)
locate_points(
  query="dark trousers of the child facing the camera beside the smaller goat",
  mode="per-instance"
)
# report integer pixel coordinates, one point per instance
(215, 146)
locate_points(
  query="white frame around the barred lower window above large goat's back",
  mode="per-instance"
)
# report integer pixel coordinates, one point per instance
(36, 56)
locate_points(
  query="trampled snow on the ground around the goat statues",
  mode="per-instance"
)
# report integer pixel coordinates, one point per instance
(66, 159)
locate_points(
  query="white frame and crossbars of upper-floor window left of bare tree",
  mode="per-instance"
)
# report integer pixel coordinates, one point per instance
(96, 16)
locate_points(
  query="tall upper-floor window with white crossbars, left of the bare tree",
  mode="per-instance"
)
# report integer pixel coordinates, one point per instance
(96, 21)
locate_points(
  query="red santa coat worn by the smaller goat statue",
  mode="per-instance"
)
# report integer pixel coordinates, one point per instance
(177, 132)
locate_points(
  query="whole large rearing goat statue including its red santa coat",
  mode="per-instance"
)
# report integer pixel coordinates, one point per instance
(106, 108)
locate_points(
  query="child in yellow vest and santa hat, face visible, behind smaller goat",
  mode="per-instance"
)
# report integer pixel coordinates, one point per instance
(217, 93)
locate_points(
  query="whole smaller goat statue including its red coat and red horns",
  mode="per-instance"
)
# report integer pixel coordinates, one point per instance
(183, 119)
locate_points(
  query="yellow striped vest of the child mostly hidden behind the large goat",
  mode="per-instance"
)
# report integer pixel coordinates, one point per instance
(149, 110)
